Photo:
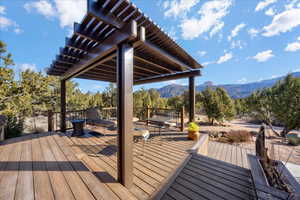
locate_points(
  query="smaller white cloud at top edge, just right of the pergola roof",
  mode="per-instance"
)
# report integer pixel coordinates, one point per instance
(178, 8)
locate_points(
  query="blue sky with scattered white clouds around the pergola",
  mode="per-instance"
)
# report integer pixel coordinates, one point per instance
(238, 41)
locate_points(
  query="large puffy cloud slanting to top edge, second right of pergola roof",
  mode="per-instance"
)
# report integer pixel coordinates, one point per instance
(211, 14)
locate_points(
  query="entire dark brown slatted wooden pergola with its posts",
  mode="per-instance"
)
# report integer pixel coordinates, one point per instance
(116, 42)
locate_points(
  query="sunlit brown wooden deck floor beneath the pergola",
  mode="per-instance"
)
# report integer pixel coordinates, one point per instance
(56, 166)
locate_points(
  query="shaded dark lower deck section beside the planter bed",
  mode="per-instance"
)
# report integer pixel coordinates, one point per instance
(207, 178)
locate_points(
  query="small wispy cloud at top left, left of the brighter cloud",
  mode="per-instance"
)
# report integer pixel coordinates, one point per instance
(42, 6)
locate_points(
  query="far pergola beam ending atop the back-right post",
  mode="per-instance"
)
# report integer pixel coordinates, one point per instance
(168, 77)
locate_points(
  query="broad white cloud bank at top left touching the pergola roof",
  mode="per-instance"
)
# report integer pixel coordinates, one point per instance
(67, 11)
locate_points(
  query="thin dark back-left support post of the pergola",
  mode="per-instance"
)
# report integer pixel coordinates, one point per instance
(63, 106)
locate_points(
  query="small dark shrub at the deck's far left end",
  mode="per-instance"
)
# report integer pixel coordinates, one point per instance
(14, 127)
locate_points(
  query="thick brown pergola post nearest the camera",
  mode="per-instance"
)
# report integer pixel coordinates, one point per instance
(125, 113)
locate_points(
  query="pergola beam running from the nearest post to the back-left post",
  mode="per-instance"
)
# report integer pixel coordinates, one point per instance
(128, 32)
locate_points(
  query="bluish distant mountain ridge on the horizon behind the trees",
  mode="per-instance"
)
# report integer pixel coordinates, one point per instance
(234, 90)
